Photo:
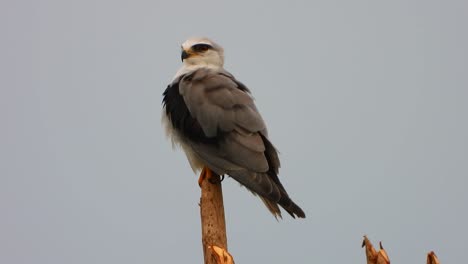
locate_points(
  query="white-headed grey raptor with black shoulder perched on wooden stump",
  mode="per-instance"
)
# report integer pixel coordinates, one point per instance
(213, 118)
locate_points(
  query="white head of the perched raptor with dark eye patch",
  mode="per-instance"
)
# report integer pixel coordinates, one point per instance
(202, 52)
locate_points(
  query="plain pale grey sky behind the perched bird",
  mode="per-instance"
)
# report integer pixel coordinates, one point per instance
(366, 101)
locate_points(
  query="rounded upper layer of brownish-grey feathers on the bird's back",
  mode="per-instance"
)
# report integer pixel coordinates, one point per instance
(218, 103)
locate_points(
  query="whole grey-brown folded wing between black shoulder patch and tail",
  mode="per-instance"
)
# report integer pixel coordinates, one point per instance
(228, 113)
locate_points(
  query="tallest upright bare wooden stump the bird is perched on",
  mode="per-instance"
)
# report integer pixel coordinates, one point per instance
(212, 220)
